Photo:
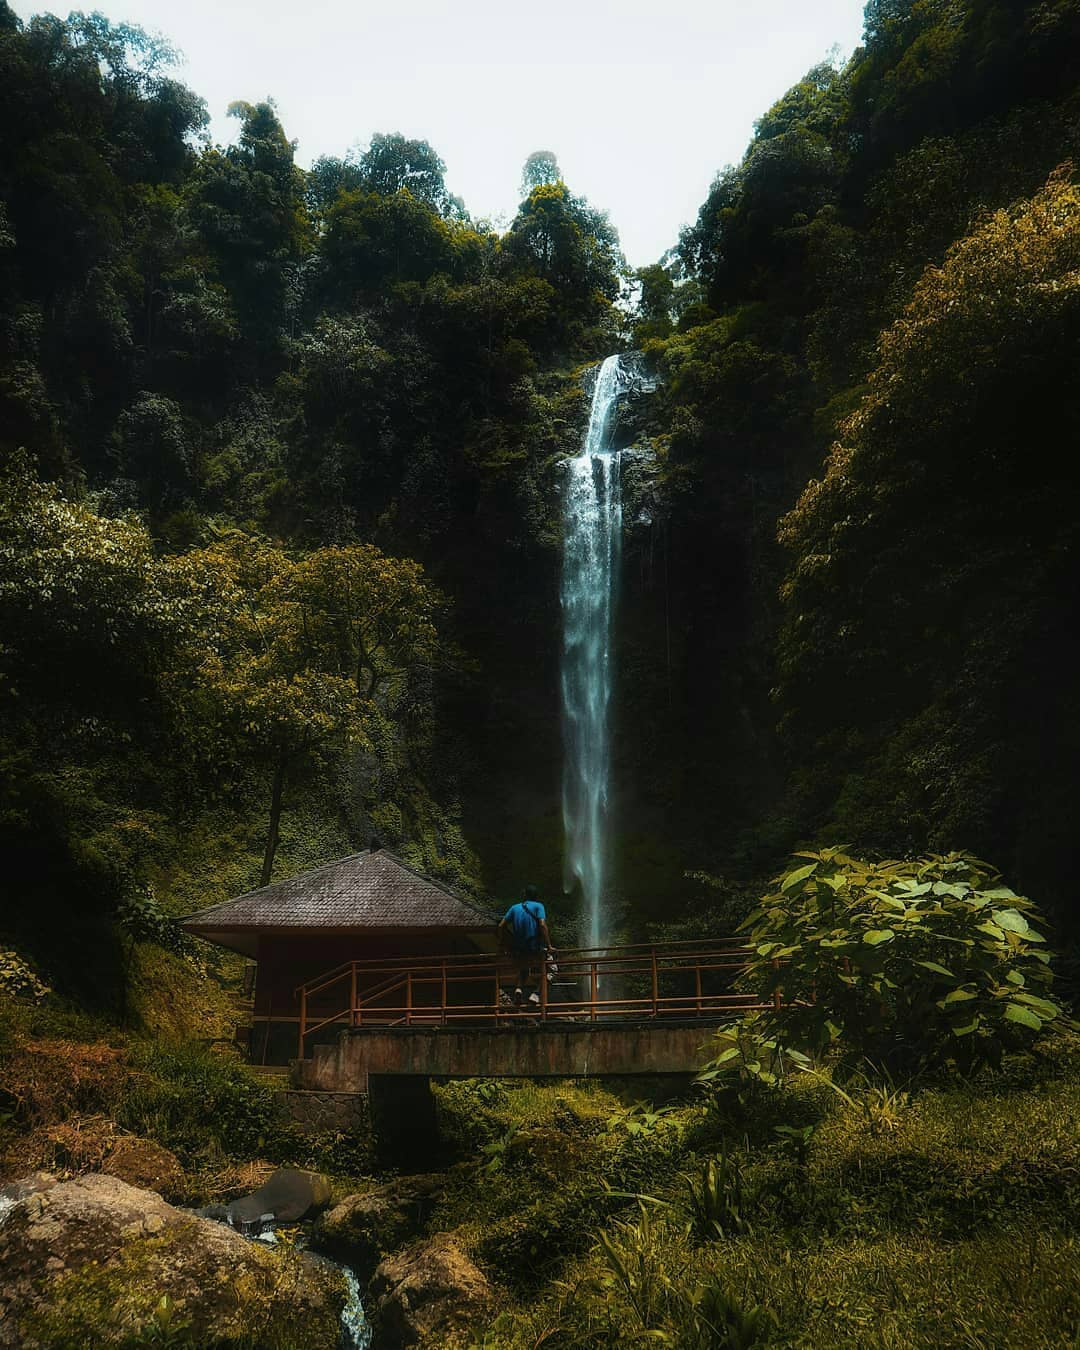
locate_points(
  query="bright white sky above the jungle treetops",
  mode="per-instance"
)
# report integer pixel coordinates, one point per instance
(641, 101)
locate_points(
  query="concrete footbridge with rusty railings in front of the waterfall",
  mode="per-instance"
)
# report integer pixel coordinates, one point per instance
(385, 1031)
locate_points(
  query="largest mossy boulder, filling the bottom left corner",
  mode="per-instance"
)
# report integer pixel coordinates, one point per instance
(99, 1262)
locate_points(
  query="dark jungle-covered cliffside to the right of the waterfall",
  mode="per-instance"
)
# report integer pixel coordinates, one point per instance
(867, 342)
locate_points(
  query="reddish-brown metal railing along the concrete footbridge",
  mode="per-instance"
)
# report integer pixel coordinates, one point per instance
(638, 983)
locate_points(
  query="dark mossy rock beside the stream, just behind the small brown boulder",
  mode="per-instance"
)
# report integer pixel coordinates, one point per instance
(368, 1226)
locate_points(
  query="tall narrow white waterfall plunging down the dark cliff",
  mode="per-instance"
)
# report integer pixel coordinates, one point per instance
(592, 533)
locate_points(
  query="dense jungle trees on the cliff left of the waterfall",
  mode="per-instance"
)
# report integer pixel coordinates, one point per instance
(275, 450)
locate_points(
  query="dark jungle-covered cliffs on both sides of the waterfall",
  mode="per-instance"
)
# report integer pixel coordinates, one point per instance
(281, 488)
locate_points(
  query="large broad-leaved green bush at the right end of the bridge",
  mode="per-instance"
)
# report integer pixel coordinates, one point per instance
(925, 962)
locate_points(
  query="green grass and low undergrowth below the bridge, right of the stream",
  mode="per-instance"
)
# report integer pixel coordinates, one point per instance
(944, 1216)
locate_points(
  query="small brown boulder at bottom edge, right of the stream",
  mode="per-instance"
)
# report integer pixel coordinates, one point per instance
(429, 1295)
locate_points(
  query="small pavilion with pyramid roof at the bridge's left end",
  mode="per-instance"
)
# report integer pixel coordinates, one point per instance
(367, 908)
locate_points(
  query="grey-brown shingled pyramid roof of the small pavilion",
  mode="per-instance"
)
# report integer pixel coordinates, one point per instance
(373, 890)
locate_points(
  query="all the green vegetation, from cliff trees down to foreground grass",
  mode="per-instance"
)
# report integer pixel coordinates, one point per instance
(279, 570)
